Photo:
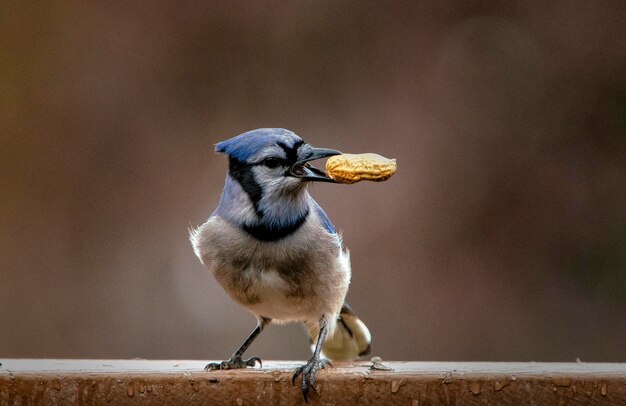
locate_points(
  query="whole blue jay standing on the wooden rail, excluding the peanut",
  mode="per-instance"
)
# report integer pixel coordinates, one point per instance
(276, 253)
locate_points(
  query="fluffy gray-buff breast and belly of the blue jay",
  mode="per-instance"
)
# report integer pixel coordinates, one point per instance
(299, 279)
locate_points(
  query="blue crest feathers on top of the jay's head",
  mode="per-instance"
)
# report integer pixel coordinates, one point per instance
(244, 146)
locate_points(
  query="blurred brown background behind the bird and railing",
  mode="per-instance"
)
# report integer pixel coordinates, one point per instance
(501, 237)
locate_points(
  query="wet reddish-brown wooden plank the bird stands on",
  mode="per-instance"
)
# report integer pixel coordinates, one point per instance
(47, 381)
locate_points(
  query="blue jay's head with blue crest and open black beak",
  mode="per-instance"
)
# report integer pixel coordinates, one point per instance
(273, 162)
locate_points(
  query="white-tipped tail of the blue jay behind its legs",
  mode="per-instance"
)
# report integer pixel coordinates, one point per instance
(351, 339)
